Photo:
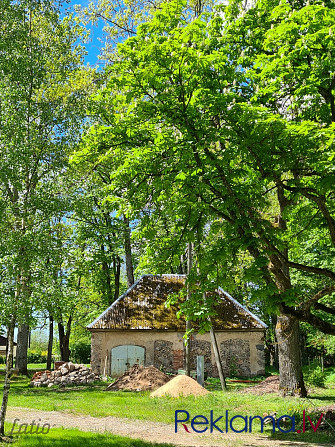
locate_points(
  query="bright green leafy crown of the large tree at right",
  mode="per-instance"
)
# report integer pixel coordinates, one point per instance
(208, 135)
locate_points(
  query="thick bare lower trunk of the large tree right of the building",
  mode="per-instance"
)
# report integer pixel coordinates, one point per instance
(291, 380)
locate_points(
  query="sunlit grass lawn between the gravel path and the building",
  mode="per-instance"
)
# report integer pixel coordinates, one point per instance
(96, 402)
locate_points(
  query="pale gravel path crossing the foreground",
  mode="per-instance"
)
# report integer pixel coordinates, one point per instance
(145, 430)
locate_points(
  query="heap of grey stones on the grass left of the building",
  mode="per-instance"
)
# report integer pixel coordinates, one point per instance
(68, 374)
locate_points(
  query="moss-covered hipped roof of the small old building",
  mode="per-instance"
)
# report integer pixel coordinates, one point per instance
(142, 306)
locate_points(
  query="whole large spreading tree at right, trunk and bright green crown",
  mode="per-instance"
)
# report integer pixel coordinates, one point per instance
(185, 118)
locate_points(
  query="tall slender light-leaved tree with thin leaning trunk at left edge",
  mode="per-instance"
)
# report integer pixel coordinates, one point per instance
(42, 85)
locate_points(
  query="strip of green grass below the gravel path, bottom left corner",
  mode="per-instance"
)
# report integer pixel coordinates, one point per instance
(60, 437)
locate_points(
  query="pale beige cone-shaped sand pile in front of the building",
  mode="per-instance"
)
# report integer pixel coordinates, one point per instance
(180, 385)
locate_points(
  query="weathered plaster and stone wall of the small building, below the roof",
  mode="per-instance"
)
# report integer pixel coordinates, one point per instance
(242, 352)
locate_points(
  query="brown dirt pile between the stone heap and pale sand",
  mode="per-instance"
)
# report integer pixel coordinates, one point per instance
(139, 378)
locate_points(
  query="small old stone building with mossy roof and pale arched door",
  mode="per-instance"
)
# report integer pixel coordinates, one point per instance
(139, 328)
